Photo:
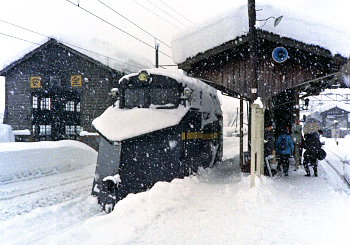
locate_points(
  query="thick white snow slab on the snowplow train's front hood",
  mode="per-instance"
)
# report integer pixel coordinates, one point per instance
(121, 124)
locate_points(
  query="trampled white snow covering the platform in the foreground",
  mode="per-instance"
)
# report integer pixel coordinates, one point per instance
(219, 207)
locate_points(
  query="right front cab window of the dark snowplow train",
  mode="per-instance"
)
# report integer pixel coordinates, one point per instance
(164, 96)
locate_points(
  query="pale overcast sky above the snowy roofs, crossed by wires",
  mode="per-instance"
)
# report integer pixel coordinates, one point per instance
(161, 18)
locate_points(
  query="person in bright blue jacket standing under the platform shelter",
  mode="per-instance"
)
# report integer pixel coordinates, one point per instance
(284, 148)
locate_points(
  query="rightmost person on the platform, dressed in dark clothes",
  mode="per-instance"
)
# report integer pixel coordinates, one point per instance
(312, 145)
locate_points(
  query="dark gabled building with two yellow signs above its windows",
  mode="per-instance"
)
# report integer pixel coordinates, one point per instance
(56, 91)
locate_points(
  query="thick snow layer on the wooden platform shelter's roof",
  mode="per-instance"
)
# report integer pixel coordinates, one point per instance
(234, 23)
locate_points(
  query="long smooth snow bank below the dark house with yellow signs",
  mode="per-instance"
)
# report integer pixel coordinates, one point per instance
(19, 161)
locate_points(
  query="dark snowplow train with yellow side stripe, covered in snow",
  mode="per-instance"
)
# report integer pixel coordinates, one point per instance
(163, 125)
